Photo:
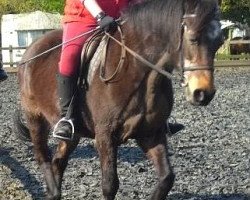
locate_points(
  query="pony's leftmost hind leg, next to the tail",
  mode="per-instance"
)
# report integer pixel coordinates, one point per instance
(38, 128)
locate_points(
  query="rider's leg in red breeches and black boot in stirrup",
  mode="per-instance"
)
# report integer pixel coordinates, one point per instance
(68, 68)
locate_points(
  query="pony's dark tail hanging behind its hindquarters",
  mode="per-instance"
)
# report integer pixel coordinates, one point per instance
(20, 129)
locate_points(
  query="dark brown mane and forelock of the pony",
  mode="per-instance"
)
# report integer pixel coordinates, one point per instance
(163, 18)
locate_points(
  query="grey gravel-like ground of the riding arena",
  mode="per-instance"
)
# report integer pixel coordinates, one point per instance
(210, 155)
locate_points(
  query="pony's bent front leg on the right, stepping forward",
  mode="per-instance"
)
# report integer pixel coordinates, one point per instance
(156, 149)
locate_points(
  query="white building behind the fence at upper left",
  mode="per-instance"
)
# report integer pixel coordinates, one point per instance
(20, 30)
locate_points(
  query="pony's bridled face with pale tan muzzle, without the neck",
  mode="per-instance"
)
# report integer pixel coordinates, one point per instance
(201, 38)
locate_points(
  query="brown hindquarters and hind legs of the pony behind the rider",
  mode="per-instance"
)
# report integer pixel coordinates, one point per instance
(39, 102)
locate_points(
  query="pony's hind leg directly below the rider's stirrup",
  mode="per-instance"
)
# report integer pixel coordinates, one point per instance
(60, 159)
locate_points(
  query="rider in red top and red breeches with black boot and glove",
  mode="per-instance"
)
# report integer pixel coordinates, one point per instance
(80, 16)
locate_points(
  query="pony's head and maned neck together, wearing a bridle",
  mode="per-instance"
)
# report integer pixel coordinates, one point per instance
(189, 31)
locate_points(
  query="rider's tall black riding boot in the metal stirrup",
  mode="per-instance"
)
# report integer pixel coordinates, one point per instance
(64, 129)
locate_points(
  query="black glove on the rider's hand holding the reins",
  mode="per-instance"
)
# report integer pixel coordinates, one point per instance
(106, 22)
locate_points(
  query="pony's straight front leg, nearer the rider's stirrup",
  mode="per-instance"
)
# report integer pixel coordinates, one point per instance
(107, 150)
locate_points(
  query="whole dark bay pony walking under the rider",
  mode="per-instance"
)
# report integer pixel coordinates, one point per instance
(137, 102)
